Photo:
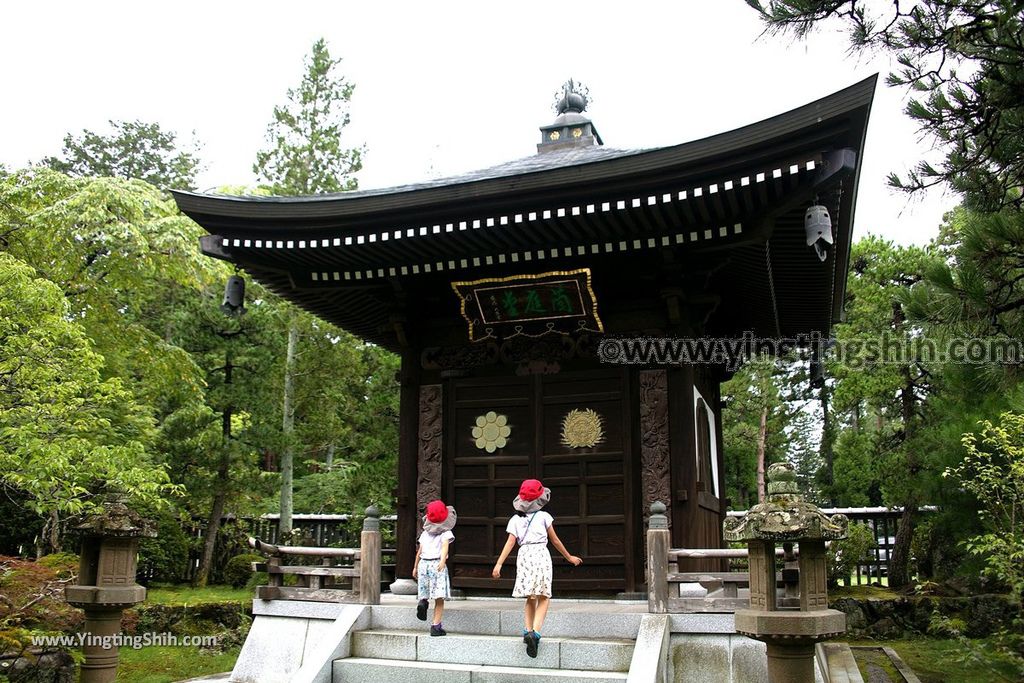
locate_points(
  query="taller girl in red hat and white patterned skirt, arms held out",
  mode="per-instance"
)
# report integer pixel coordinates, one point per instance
(532, 528)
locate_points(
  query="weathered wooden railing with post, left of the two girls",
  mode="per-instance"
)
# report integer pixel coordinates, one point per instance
(357, 581)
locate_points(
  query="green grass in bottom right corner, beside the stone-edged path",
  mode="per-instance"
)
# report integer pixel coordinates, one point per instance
(940, 661)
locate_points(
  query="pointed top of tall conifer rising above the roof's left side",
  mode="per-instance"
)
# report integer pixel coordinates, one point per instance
(306, 156)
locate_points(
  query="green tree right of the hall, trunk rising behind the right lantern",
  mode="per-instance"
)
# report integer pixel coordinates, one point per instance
(882, 385)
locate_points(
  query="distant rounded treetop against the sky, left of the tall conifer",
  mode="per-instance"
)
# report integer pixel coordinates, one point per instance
(135, 151)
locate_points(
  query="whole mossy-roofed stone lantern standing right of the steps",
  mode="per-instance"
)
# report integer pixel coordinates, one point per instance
(789, 633)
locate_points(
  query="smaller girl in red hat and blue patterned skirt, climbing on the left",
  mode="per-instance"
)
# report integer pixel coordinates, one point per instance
(430, 568)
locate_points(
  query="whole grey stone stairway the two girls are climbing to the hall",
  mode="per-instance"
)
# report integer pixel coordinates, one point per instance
(487, 647)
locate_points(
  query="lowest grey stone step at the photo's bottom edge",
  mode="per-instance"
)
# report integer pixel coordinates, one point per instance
(360, 670)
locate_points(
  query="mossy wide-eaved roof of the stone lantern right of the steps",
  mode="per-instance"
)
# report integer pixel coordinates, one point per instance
(785, 516)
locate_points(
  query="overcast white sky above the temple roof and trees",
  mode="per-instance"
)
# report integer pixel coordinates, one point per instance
(442, 88)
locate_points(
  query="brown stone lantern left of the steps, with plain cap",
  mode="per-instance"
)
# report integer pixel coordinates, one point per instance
(107, 584)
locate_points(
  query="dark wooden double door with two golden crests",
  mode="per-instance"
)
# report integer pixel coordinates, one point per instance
(592, 487)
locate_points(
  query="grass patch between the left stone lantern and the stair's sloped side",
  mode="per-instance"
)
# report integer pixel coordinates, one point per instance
(166, 665)
